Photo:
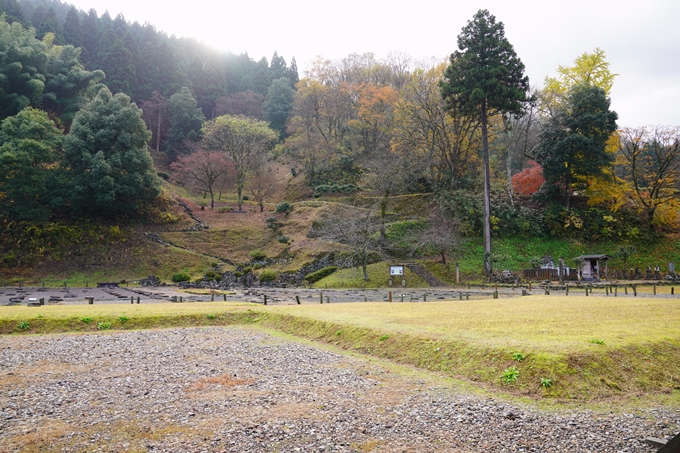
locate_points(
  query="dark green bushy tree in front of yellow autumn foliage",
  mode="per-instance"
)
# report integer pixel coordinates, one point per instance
(572, 144)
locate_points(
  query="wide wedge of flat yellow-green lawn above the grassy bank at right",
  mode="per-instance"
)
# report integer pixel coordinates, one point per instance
(554, 323)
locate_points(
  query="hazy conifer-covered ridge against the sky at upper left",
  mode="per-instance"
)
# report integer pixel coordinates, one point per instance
(139, 60)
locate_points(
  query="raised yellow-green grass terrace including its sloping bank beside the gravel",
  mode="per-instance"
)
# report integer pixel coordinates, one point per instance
(576, 348)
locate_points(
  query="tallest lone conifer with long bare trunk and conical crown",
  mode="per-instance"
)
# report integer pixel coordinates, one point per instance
(485, 77)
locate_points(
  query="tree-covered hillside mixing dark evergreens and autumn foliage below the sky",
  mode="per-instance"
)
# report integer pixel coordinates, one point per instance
(82, 95)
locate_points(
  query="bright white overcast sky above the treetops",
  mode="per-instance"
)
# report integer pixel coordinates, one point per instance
(641, 38)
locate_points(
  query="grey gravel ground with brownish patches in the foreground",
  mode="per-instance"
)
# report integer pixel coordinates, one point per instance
(242, 390)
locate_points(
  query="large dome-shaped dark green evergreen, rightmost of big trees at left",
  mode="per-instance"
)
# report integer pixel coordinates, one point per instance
(106, 153)
